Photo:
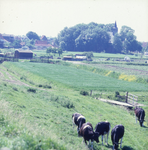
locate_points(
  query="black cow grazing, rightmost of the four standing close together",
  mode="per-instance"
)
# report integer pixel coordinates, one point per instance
(116, 134)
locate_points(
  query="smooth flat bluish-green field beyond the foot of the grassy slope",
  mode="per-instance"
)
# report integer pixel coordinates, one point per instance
(76, 78)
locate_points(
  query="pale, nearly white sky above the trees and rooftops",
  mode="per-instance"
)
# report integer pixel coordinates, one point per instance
(49, 17)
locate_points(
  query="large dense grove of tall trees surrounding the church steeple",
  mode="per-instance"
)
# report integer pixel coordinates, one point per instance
(96, 37)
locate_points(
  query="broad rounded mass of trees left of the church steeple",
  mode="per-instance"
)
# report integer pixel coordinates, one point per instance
(82, 37)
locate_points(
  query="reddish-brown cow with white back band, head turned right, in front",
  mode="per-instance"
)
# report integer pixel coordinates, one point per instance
(88, 134)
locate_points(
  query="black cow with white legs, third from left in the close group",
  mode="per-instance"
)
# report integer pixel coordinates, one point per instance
(103, 128)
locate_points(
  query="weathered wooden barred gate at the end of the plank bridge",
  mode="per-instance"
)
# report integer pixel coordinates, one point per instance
(131, 99)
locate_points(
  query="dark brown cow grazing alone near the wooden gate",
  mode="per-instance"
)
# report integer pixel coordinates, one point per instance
(139, 114)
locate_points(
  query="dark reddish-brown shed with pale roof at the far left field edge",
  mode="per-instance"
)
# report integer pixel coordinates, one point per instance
(23, 54)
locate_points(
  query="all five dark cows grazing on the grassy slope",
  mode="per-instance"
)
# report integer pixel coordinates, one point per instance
(102, 128)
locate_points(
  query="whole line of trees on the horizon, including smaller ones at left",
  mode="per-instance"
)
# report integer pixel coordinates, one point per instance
(90, 37)
